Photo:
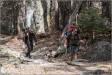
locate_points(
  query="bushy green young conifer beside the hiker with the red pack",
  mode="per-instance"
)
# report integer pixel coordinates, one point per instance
(91, 22)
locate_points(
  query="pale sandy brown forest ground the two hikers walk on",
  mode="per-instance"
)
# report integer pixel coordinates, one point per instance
(14, 62)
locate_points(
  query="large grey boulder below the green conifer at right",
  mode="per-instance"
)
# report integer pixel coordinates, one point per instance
(99, 51)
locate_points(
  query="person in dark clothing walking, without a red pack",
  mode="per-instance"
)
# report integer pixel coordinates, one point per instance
(29, 38)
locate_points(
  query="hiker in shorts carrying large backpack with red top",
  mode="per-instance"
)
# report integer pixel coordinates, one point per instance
(72, 40)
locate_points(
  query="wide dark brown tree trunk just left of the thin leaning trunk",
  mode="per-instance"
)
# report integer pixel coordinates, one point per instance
(64, 13)
